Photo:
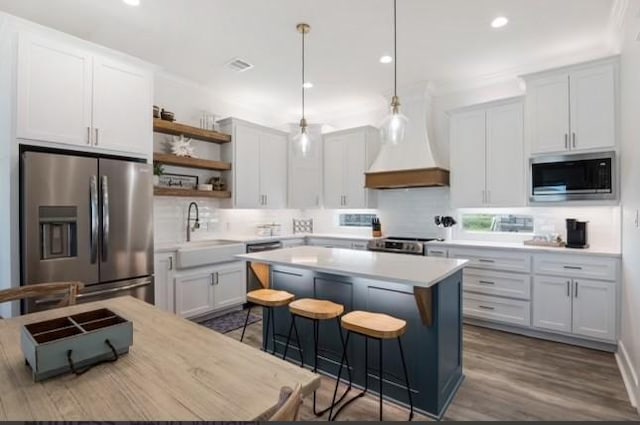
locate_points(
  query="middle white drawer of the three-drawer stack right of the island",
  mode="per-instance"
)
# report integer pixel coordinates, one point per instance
(490, 282)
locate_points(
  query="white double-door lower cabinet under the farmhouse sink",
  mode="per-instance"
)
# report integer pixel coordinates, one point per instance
(208, 289)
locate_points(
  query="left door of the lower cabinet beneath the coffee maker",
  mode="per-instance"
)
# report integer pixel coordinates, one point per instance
(552, 303)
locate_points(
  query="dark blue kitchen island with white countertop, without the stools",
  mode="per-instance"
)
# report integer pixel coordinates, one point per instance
(426, 292)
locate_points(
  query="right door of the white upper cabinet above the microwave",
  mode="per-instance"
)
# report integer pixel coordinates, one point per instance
(593, 108)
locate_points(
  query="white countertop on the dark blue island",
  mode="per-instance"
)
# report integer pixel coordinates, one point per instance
(408, 269)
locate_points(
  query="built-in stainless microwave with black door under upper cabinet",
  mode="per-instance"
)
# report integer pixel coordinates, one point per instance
(579, 177)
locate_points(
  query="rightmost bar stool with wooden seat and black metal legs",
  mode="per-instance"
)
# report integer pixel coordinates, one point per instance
(375, 326)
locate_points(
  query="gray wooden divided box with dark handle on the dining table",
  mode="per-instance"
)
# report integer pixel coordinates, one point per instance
(75, 343)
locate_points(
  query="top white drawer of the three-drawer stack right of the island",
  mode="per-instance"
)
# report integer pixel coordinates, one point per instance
(494, 260)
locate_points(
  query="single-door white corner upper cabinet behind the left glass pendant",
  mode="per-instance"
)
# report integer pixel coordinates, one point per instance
(305, 176)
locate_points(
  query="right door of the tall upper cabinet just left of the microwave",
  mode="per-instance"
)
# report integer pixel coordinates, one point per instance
(505, 156)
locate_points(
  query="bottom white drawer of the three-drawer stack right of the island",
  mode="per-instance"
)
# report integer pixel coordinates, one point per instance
(497, 309)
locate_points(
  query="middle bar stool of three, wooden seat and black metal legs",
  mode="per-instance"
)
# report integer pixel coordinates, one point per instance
(316, 311)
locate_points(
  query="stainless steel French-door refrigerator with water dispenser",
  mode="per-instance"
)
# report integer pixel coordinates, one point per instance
(87, 219)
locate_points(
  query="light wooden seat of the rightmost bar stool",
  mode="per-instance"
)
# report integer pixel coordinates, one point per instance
(375, 325)
